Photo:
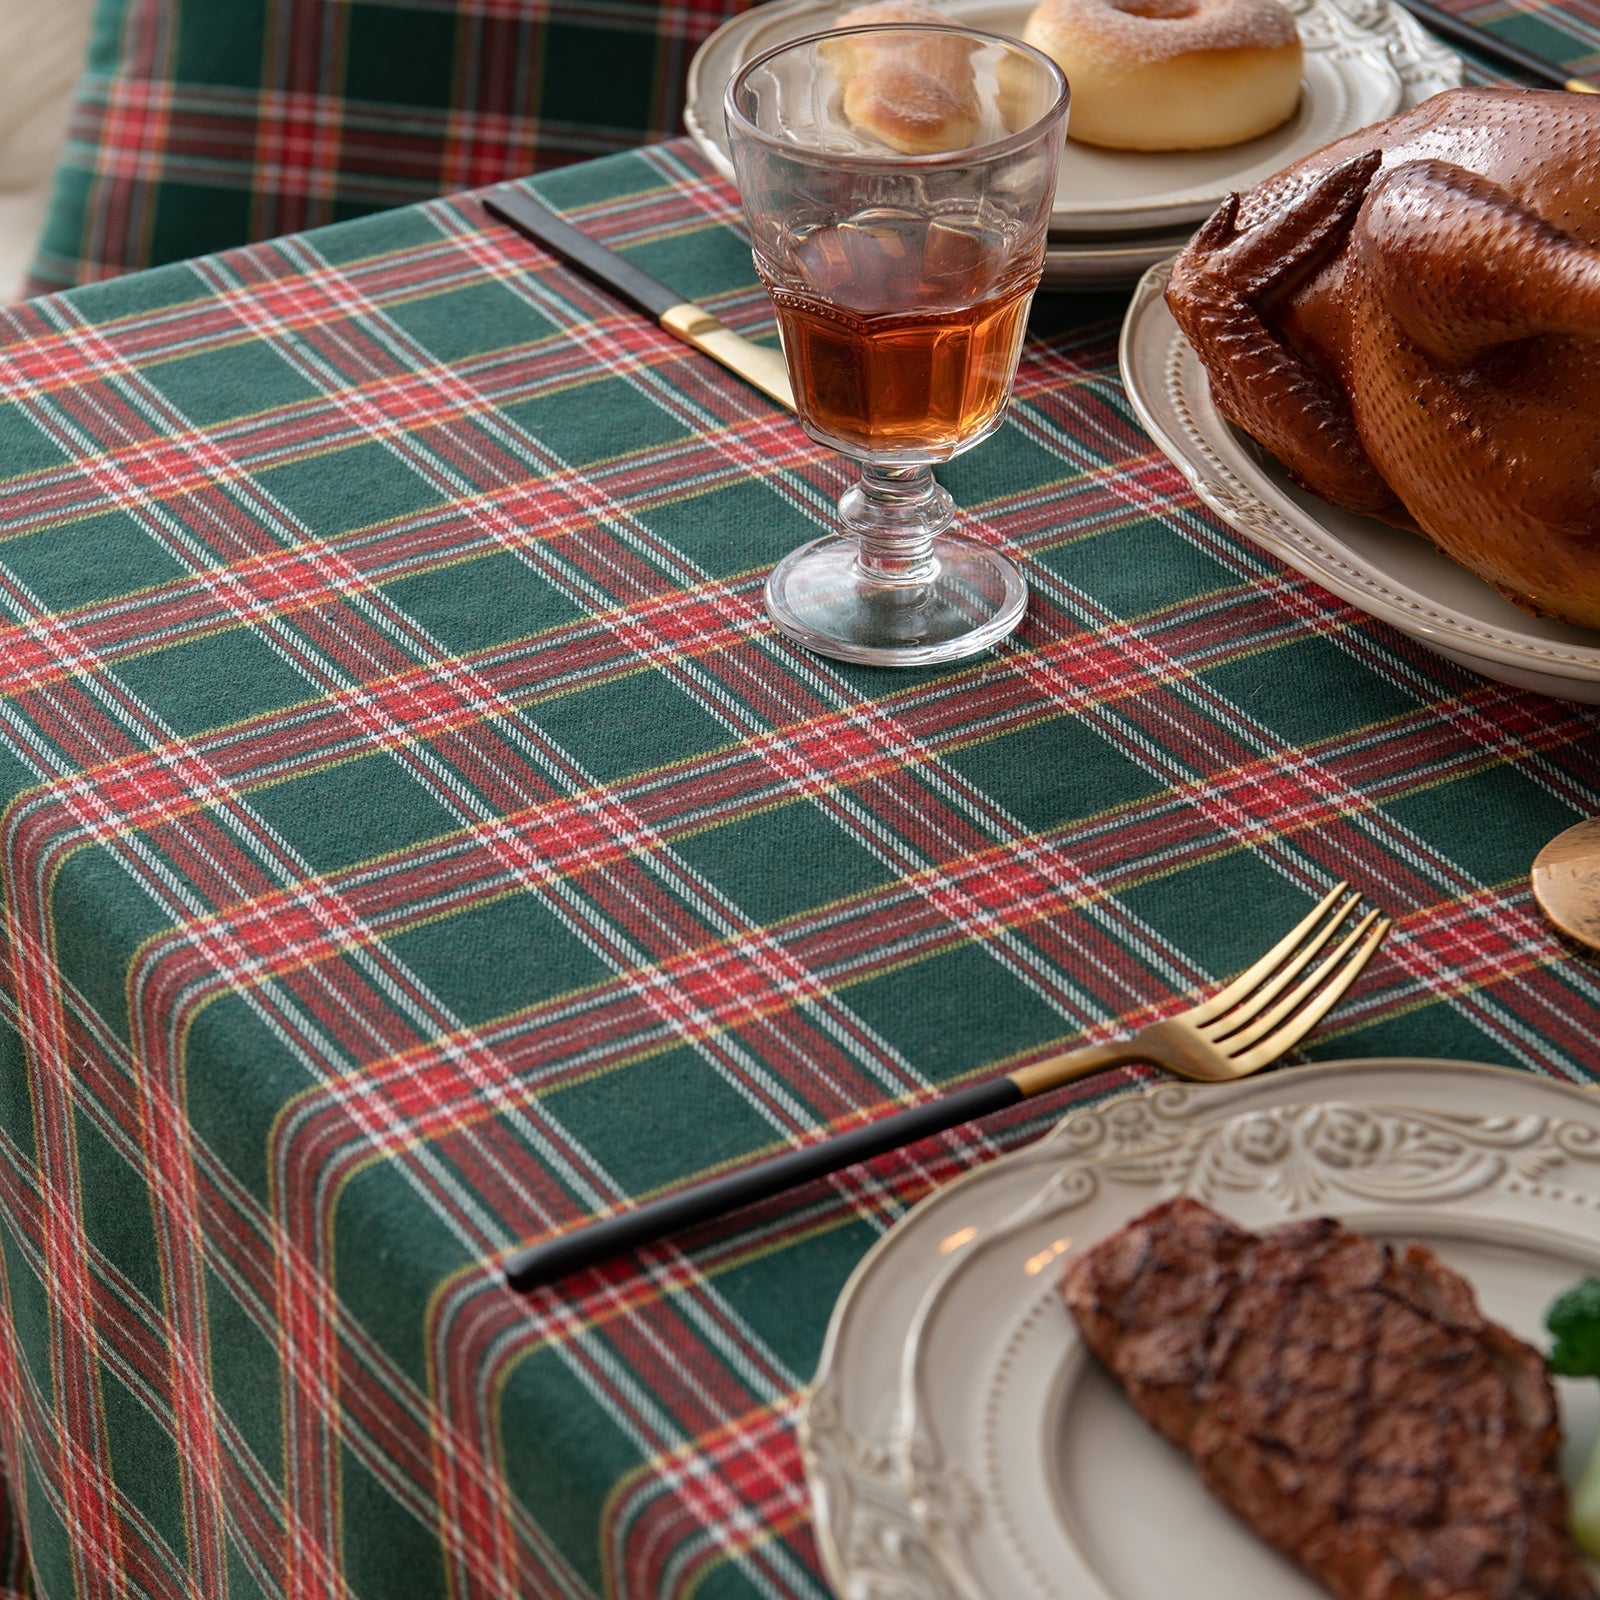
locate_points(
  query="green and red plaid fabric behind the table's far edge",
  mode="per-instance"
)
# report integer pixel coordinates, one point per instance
(207, 124)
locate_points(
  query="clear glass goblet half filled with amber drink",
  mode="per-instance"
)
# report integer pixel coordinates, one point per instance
(898, 183)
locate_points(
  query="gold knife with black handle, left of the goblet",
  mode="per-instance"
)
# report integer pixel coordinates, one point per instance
(756, 364)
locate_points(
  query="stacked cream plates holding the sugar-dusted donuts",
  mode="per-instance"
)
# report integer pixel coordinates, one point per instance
(1121, 212)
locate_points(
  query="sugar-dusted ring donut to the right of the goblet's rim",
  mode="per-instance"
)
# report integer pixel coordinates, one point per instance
(1172, 74)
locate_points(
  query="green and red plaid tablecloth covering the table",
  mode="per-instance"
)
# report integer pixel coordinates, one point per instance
(417, 839)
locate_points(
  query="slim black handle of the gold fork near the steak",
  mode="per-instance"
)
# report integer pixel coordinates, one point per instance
(585, 1246)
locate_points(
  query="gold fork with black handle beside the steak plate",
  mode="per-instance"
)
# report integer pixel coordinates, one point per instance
(1258, 1018)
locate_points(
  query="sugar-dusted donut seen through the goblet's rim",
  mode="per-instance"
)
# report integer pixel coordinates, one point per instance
(916, 95)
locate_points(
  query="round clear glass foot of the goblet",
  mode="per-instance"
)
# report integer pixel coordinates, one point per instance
(822, 599)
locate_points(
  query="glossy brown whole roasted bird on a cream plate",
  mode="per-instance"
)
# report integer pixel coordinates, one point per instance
(1409, 319)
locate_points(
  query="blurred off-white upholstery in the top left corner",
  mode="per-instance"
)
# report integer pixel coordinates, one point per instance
(41, 55)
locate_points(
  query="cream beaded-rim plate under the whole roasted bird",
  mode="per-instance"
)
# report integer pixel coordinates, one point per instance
(1388, 574)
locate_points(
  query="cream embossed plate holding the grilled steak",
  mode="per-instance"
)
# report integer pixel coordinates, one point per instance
(962, 1446)
